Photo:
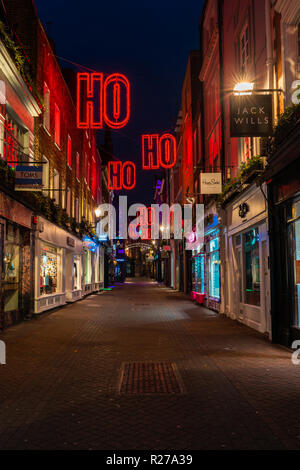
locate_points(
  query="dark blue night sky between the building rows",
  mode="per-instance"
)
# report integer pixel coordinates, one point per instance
(147, 41)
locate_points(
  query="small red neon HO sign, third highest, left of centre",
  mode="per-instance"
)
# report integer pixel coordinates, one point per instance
(121, 175)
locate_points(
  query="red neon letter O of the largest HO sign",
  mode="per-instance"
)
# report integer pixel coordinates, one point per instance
(117, 79)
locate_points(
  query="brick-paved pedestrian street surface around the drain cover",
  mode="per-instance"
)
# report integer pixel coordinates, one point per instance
(59, 388)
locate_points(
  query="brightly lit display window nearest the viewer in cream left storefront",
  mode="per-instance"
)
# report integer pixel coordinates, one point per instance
(49, 270)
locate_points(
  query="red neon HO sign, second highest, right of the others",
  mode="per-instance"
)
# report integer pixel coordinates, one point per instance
(158, 151)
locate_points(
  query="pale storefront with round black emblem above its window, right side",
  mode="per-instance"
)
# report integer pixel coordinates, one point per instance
(248, 275)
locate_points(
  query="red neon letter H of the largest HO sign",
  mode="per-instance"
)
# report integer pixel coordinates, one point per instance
(86, 85)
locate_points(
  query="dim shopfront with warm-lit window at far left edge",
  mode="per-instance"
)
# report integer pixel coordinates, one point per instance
(16, 273)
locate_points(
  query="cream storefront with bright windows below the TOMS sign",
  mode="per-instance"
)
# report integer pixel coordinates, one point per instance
(58, 267)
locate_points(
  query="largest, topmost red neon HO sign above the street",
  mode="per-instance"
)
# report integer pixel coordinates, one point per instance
(100, 100)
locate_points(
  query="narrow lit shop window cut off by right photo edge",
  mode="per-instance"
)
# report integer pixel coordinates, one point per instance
(294, 245)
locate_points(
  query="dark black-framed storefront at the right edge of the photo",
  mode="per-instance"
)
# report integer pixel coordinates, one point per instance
(284, 219)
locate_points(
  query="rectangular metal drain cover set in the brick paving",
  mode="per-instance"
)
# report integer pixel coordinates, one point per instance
(147, 378)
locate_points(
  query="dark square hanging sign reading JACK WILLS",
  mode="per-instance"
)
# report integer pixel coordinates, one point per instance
(251, 115)
